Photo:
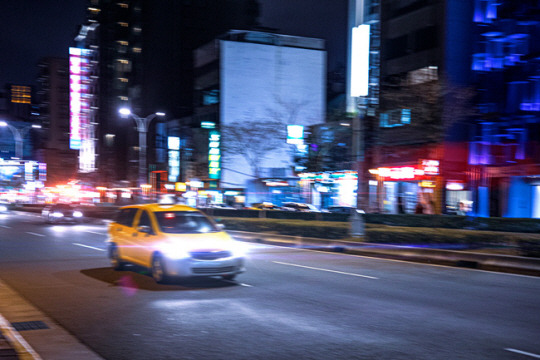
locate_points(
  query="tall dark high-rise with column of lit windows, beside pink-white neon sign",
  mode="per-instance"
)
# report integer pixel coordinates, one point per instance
(143, 53)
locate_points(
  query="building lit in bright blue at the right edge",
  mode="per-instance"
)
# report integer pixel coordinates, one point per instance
(504, 148)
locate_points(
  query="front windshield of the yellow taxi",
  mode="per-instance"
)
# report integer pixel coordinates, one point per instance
(184, 222)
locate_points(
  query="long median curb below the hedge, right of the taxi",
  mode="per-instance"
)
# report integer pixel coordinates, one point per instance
(472, 260)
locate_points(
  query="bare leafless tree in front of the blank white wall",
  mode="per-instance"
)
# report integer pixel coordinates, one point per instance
(253, 140)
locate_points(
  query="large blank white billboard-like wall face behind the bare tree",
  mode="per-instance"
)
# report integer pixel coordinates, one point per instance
(268, 87)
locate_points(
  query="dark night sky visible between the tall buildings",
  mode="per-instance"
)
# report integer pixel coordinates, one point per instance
(32, 29)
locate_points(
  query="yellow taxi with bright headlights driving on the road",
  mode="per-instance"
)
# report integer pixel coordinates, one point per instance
(173, 241)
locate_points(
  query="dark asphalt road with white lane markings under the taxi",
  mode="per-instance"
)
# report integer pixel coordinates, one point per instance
(290, 304)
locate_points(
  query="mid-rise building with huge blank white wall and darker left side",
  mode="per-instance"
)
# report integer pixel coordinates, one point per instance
(256, 92)
